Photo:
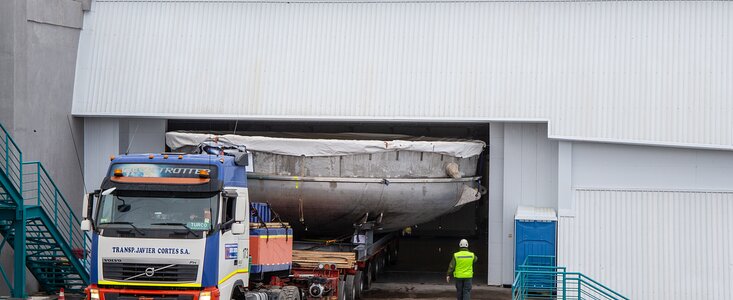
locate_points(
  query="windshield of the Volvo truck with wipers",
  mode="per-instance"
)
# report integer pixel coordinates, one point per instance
(157, 215)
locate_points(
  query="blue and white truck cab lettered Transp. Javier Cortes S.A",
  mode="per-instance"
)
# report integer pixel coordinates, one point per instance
(169, 226)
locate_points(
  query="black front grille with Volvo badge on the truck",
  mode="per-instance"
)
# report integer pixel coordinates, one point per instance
(161, 272)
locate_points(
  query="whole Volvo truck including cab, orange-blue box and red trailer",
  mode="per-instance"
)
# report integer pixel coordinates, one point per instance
(181, 226)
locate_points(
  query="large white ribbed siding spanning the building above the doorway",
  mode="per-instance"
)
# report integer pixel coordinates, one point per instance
(646, 71)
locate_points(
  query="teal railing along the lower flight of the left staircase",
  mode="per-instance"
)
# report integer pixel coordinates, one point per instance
(39, 189)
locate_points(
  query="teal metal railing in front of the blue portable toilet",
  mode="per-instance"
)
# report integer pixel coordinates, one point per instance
(539, 278)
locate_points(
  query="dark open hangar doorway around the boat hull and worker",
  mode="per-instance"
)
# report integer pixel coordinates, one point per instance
(425, 249)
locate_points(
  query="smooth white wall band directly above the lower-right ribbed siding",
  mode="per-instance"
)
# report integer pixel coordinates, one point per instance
(596, 165)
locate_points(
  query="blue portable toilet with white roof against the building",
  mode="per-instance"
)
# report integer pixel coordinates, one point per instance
(535, 232)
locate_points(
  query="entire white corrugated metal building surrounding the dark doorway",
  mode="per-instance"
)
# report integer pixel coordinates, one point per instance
(619, 114)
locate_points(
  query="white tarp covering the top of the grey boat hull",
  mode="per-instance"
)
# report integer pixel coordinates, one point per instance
(327, 147)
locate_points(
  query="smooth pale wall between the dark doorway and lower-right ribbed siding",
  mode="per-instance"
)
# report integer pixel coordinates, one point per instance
(523, 168)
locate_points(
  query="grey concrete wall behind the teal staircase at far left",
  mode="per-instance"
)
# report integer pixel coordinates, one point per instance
(38, 47)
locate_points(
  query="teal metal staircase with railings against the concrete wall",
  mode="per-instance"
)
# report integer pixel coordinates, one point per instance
(37, 220)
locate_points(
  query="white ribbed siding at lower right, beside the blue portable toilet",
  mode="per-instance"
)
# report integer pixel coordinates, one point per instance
(652, 245)
